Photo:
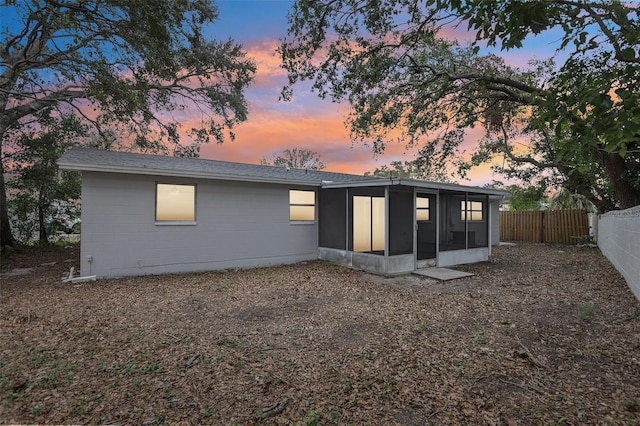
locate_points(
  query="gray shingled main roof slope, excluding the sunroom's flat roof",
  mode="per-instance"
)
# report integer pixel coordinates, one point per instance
(94, 160)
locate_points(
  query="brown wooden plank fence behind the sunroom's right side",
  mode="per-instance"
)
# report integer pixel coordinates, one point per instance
(561, 226)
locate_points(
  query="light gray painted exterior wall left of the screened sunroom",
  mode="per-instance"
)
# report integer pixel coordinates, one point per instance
(238, 225)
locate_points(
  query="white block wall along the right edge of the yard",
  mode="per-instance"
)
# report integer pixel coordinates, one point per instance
(619, 241)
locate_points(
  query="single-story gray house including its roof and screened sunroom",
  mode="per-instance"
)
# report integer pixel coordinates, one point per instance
(149, 214)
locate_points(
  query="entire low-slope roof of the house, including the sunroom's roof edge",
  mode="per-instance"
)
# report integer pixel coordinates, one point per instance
(95, 160)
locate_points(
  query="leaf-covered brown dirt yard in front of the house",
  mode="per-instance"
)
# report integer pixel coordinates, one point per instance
(542, 334)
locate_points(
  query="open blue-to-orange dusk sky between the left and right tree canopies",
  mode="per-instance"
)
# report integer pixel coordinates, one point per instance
(306, 121)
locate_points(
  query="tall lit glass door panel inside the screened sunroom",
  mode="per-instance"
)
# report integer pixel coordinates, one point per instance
(368, 224)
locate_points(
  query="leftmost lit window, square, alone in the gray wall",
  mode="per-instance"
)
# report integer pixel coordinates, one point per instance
(175, 203)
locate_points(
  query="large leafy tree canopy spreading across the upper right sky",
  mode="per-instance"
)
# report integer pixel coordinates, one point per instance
(390, 60)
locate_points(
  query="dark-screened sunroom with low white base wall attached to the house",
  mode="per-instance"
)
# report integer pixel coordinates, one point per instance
(396, 225)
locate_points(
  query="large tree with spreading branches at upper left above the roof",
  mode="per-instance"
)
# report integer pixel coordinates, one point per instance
(129, 67)
